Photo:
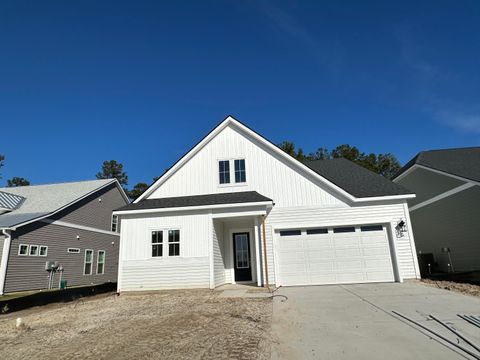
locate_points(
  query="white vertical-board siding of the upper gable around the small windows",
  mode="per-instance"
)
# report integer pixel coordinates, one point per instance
(267, 174)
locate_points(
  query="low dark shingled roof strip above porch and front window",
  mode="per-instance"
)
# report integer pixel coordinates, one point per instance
(244, 197)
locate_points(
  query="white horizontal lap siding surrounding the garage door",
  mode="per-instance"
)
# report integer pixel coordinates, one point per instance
(303, 217)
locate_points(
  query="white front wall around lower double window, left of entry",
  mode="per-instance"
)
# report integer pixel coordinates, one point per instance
(138, 270)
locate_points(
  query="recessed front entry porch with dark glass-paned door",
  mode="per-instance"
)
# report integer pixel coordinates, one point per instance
(236, 251)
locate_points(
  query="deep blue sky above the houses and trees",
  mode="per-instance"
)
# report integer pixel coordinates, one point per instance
(142, 81)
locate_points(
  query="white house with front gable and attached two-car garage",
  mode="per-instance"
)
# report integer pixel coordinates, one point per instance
(236, 208)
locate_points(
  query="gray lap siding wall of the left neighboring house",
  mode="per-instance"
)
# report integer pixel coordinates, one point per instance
(28, 272)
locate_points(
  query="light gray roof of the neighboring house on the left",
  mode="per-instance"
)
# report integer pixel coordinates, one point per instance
(41, 201)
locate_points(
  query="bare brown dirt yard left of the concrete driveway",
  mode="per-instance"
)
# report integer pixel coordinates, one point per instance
(194, 324)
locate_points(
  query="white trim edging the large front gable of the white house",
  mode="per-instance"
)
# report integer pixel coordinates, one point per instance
(230, 121)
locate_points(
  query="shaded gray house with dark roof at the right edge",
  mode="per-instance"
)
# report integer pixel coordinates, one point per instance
(446, 212)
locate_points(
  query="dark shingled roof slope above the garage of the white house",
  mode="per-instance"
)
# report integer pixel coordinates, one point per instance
(355, 179)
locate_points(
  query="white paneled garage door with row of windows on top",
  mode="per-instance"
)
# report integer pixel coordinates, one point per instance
(339, 255)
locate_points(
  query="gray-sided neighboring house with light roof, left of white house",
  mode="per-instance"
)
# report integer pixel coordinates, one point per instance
(68, 226)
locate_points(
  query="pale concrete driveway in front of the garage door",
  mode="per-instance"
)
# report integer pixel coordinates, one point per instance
(355, 322)
